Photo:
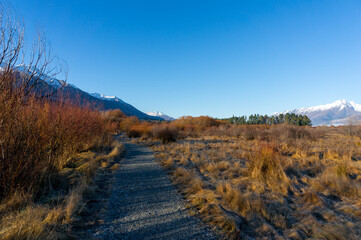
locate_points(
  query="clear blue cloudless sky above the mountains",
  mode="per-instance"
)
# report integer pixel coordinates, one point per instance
(216, 58)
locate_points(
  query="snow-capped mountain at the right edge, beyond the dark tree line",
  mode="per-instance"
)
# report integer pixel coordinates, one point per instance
(337, 113)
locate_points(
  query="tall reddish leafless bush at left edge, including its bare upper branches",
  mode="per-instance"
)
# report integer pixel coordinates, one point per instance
(36, 135)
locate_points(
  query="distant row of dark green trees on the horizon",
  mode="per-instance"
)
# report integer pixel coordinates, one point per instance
(256, 119)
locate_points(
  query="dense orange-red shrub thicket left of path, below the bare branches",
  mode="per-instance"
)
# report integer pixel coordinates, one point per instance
(36, 138)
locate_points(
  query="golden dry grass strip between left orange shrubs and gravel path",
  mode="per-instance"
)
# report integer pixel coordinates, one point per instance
(23, 218)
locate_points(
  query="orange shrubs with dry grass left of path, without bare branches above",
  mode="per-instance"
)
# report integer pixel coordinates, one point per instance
(50, 152)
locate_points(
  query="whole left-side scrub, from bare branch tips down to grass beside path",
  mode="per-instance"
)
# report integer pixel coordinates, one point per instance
(50, 149)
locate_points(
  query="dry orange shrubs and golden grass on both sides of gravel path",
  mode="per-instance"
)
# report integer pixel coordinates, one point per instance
(250, 181)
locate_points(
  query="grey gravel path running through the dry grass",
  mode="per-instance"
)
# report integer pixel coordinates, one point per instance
(145, 205)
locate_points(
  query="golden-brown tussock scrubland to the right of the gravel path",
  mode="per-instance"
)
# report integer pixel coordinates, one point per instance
(264, 182)
